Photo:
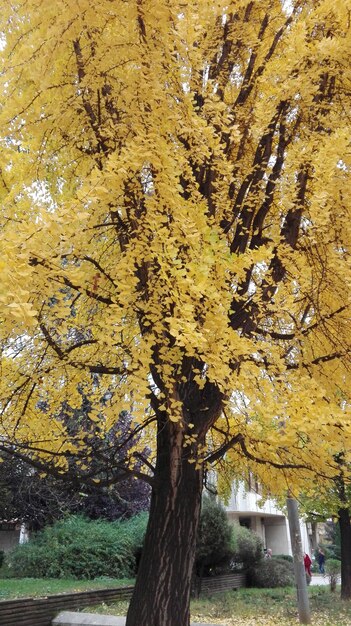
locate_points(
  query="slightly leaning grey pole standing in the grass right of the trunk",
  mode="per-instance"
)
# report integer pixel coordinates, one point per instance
(300, 575)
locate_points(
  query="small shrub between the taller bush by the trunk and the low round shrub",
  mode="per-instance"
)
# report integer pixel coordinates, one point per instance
(246, 546)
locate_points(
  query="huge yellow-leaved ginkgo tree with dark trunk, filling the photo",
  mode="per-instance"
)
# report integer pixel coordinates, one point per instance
(175, 221)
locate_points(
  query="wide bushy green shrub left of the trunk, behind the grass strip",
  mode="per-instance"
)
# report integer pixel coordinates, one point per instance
(79, 548)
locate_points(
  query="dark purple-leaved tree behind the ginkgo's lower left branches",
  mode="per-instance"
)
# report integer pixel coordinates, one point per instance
(102, 490)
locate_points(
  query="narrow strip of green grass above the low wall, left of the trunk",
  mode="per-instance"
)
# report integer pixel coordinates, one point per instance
(35, 587)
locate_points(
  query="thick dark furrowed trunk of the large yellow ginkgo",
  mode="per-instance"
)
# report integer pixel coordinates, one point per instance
(162, 591)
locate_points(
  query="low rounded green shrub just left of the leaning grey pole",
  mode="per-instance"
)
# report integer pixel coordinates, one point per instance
(270, 573)
